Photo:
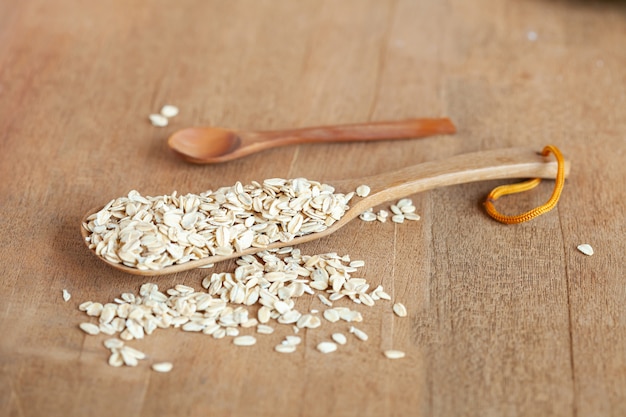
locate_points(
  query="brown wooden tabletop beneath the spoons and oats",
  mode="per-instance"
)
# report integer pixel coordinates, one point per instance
(503, 320)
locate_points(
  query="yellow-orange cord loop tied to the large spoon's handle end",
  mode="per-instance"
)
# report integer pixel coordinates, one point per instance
(525, 186)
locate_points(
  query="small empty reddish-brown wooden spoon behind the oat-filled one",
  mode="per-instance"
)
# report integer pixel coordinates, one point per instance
(209, 145)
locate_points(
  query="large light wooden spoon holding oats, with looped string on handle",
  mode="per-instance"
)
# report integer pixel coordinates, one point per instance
(478, 166)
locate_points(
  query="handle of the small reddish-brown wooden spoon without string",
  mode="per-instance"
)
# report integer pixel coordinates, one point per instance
(403, 129)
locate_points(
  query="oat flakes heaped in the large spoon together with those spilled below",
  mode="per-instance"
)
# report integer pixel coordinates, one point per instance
(261, 293)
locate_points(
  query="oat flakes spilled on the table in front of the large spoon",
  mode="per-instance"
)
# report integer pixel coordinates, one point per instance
(259, 295)
